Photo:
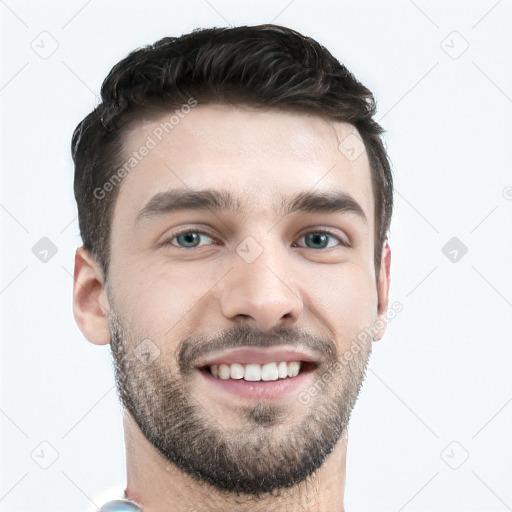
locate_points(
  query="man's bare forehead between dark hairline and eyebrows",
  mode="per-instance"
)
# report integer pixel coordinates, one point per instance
(260, 156)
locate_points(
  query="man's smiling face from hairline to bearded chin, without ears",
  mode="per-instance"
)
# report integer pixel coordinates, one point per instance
(237, 297)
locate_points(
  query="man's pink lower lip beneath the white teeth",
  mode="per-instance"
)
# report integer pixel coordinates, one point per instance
(260, 389)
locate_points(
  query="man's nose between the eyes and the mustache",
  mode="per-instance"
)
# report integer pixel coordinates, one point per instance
(262, 290)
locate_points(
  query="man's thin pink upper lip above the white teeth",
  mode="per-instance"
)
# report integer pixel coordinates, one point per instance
(257, 355)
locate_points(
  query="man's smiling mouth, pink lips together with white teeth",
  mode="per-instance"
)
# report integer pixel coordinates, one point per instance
(257, 373)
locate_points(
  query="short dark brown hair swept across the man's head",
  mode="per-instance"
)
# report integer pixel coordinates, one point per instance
(265, 66)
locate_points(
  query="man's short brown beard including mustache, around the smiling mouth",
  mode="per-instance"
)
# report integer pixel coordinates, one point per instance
(272, 446)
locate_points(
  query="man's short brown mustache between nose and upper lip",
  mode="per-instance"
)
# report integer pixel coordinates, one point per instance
(195, 346)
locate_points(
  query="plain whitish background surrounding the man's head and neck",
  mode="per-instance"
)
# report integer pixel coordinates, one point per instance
(439, 388)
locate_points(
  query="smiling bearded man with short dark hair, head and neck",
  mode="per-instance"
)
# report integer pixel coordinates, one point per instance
(234, 199)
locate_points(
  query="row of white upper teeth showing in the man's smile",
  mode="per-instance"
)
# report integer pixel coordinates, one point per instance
(256, 372)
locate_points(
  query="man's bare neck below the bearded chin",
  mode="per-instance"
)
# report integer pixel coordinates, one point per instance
(159, 486)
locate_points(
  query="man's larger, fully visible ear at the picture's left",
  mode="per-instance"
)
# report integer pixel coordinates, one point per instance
(90, 301)
